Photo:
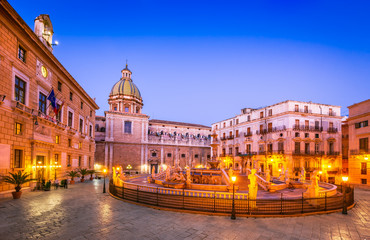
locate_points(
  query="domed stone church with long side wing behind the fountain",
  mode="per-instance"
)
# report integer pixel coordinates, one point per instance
(127, 137)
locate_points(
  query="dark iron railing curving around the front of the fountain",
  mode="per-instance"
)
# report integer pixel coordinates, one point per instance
(221, 202)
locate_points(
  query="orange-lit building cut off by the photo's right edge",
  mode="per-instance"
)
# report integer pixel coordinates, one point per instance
(359, 135)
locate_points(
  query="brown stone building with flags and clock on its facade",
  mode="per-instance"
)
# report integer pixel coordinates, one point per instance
(34, 136)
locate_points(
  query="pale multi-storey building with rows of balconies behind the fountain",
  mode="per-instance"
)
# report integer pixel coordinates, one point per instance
(289, 134)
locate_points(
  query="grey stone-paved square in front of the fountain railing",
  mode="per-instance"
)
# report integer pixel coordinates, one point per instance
(84, 212)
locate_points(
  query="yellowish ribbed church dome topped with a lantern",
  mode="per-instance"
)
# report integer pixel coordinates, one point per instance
(125, 86)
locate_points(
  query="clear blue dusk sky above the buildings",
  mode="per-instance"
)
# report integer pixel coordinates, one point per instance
(202, 61)
